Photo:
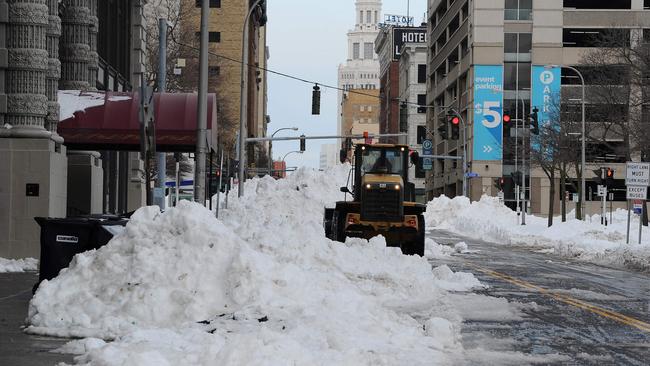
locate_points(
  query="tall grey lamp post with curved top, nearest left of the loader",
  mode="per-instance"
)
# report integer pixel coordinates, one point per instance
(243, 100)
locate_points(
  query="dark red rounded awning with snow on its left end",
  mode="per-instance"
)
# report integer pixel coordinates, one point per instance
(116, 124)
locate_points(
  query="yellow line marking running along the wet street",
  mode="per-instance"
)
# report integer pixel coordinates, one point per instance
(643, 326)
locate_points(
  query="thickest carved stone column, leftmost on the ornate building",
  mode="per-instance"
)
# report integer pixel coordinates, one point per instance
(27, 68)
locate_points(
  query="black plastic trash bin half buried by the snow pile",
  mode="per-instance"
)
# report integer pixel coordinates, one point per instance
(62, 238)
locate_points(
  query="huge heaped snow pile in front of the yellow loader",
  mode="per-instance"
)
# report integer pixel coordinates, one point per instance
(260, 286)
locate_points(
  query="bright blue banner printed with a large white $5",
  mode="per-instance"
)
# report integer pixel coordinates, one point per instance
(488, 111)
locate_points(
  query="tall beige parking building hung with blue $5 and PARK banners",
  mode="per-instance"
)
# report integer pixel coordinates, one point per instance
(487, 59)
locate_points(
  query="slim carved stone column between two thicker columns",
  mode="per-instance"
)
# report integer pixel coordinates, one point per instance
(54, 68)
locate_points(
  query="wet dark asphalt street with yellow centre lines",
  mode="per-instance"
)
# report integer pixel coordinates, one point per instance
(592, 314)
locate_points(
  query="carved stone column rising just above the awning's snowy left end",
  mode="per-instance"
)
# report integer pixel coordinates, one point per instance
(75, 46)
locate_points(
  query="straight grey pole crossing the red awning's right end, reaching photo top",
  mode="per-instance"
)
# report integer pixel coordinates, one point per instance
(202, 113)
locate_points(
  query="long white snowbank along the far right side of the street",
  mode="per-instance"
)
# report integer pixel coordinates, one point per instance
(490, 220)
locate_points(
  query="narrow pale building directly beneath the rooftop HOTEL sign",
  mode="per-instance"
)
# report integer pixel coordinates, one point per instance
(413, 111)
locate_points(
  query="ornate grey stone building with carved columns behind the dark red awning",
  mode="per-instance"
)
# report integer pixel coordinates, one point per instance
(52, 45)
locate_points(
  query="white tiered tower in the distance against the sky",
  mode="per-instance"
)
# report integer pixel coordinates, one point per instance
(361, 69)
